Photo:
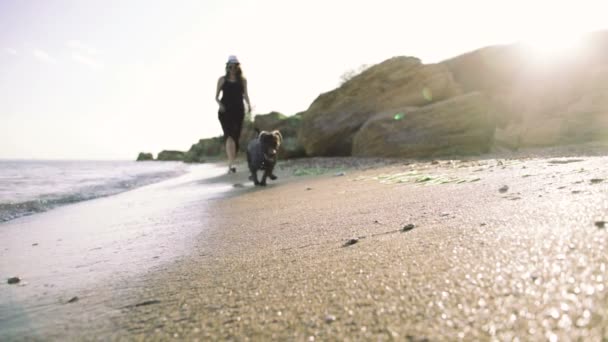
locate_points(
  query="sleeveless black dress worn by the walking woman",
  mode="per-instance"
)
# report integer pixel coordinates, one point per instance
(232, 118)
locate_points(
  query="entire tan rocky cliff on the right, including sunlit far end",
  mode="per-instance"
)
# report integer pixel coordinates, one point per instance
(495, 96)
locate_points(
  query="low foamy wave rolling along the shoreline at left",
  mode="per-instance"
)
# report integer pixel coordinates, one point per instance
(11, 211)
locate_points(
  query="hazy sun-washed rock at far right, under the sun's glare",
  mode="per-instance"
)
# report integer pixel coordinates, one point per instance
(561, 99)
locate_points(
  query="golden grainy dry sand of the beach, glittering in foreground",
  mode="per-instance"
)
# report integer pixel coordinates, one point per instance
(501, 247)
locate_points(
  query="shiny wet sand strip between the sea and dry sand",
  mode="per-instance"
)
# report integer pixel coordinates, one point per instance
(61, 254)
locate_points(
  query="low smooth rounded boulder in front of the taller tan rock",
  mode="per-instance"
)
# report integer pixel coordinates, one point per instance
(462, 125)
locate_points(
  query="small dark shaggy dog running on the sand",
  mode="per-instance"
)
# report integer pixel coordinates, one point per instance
(262, 155)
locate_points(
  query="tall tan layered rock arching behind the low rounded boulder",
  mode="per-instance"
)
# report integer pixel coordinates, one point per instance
(332, 120)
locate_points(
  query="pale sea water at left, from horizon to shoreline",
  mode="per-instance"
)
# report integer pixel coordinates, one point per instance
(33, 186)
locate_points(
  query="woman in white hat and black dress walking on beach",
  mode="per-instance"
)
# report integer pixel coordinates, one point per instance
(232, 111)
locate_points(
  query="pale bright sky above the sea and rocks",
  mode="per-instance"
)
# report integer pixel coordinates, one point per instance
(107, 79)
